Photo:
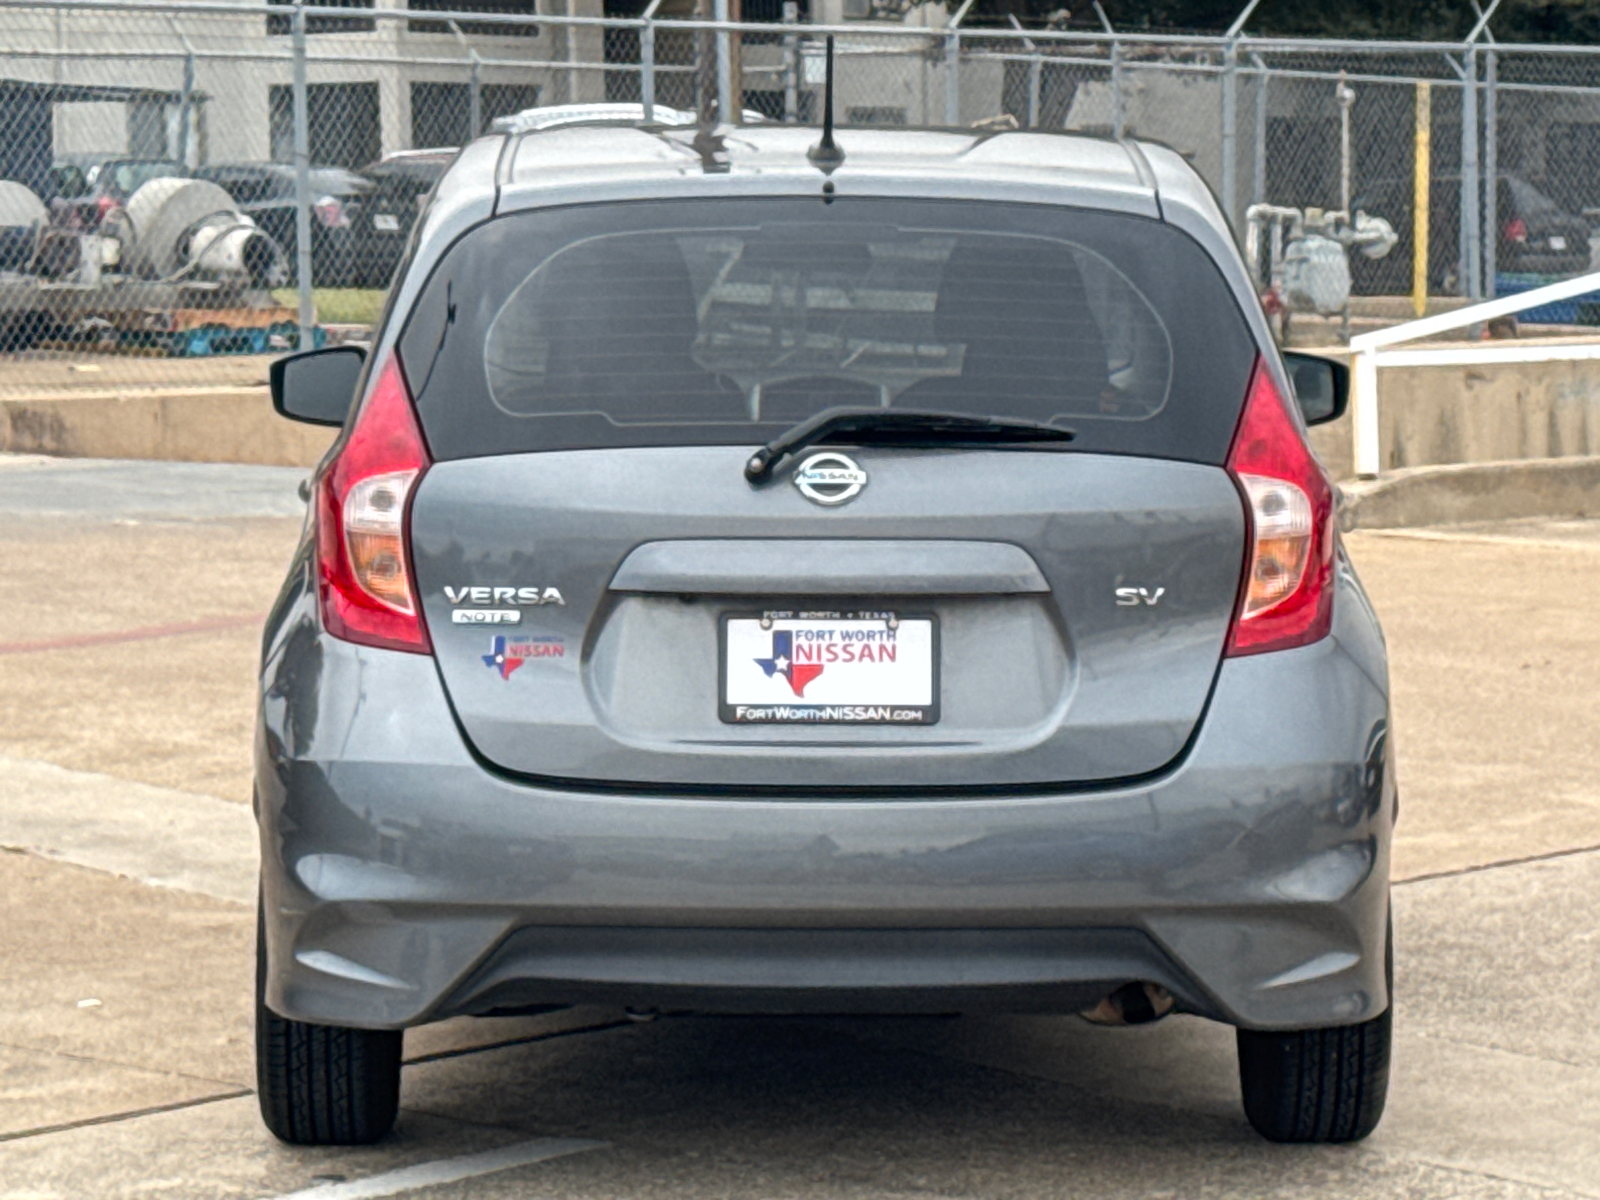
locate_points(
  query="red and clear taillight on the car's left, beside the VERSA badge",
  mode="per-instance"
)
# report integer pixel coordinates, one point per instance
(364, 506)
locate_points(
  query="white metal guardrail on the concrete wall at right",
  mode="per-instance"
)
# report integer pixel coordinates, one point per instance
(1372, 351)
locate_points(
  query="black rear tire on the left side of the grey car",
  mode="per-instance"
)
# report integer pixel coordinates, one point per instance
(322, 1086)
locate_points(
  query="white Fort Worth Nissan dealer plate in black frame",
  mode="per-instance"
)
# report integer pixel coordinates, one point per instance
(826, 668)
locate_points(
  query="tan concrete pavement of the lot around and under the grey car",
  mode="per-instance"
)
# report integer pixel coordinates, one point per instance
(126, 1058)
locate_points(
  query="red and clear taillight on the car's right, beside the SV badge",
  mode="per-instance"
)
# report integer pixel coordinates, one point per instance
(1287, 598)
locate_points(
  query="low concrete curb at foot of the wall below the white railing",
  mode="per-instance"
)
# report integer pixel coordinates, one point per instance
(1473, 492)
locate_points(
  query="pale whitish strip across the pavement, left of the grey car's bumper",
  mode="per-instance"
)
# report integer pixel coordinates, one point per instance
(158, 836)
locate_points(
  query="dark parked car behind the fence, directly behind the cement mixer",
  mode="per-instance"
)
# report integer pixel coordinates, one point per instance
(266, 194)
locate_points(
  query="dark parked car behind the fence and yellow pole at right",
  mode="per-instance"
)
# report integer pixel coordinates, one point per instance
(1537, 236)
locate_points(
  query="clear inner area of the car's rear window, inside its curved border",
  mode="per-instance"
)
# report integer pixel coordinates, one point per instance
(791, 311)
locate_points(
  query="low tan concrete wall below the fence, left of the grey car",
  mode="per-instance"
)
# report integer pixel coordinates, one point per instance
(201, 425)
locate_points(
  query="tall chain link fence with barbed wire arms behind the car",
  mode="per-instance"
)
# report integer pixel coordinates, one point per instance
(202, 182)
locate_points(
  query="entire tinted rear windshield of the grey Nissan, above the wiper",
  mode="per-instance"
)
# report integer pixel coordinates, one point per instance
(730, 321)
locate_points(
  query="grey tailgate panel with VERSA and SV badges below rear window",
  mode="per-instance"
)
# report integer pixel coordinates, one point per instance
(1078, 607)
